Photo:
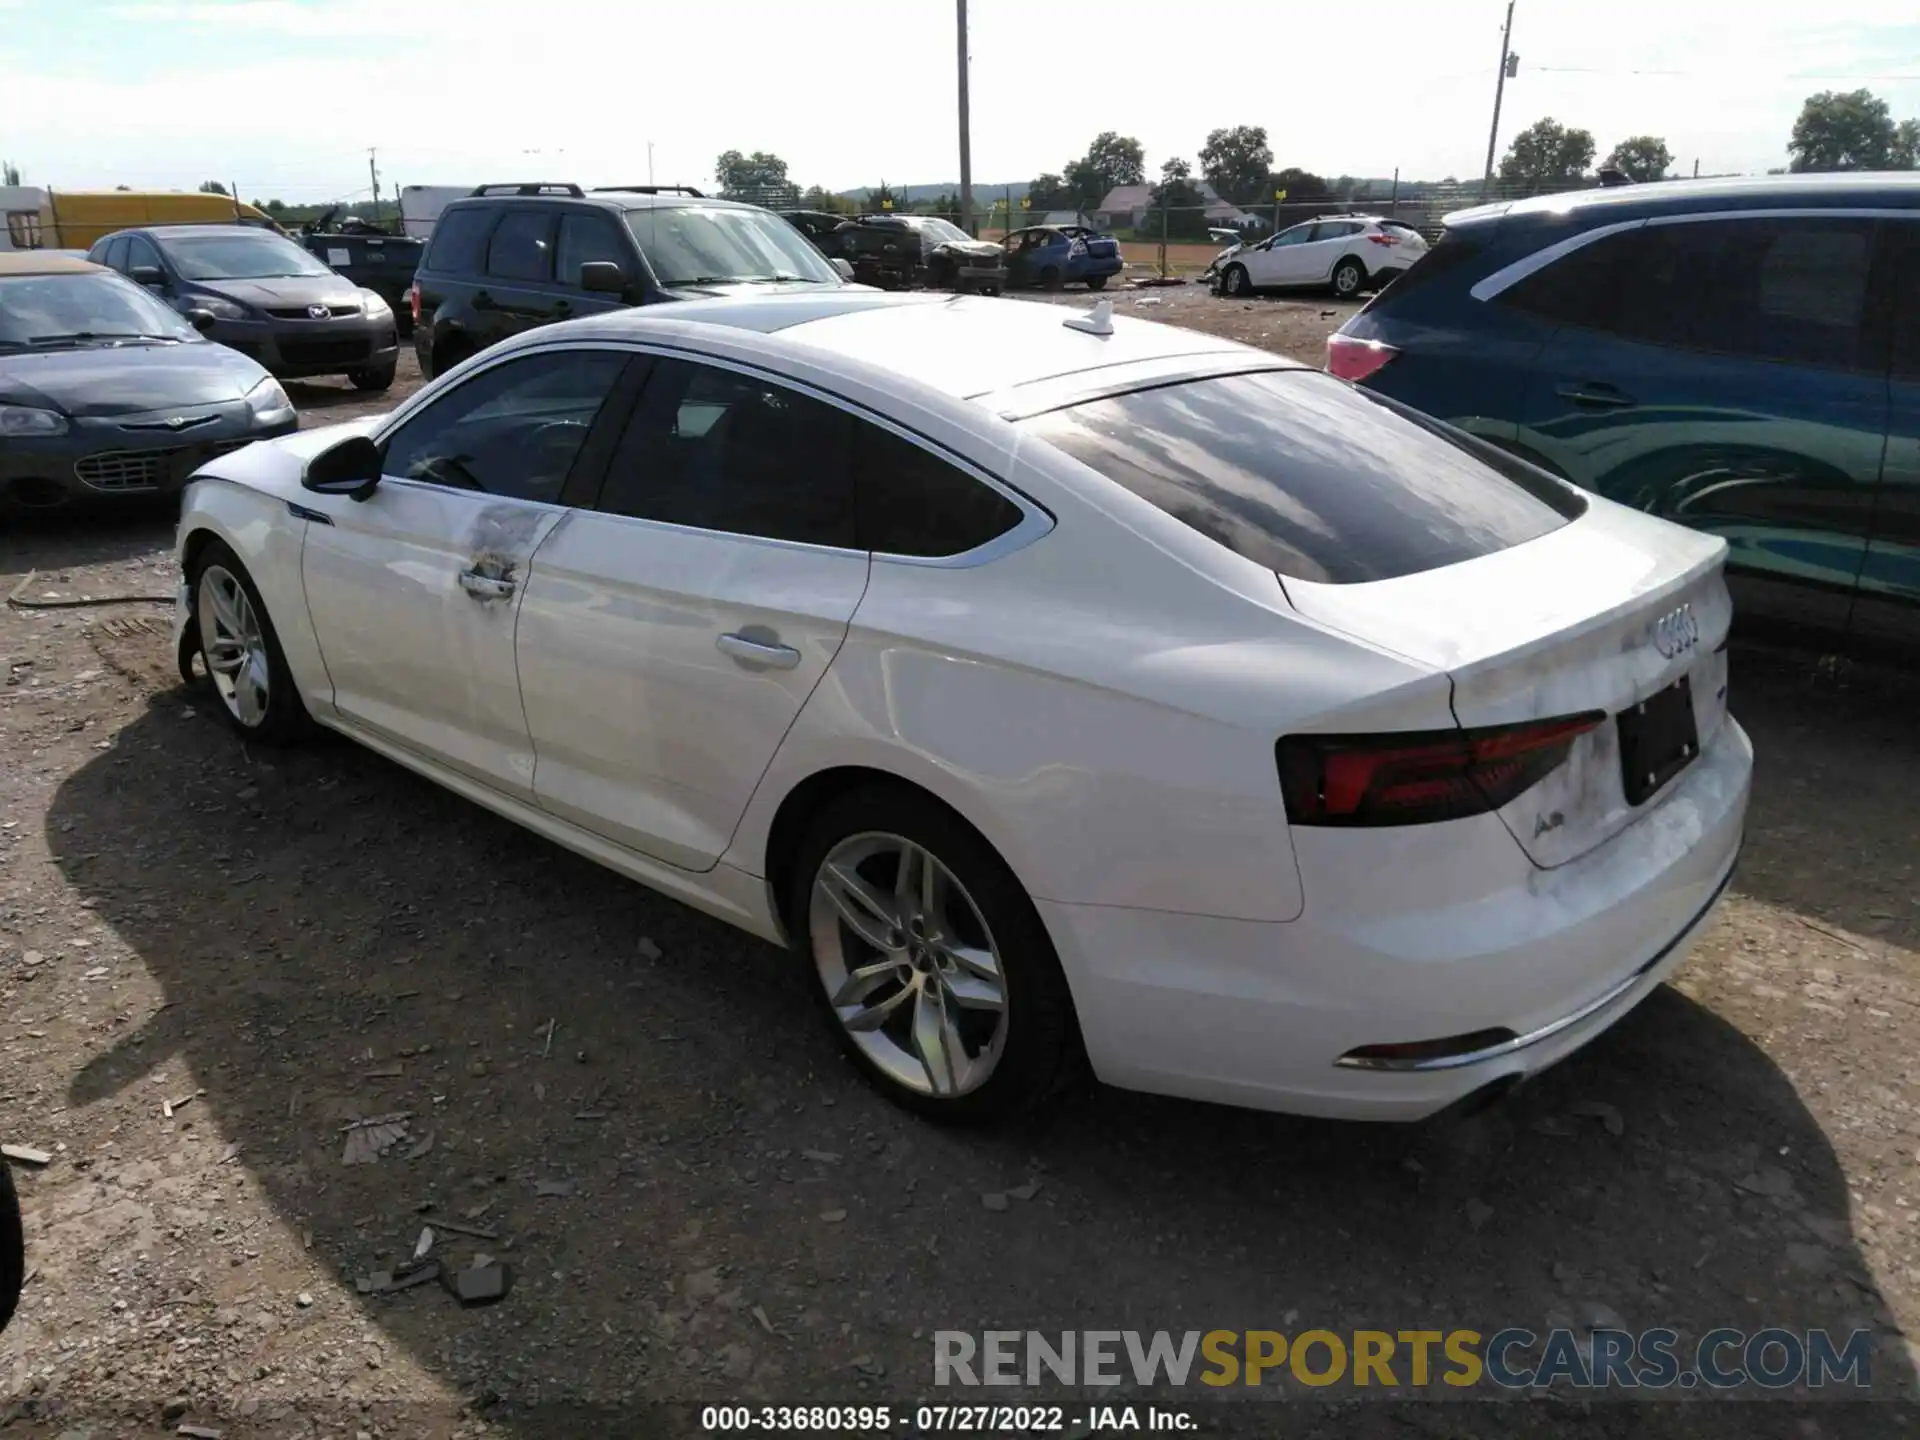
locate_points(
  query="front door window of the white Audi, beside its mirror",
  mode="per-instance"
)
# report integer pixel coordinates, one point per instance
(512, 431)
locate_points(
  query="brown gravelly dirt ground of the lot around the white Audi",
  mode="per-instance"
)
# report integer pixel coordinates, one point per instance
(698, 1197)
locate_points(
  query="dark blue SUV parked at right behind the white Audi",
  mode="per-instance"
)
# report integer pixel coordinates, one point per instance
(1739, 356)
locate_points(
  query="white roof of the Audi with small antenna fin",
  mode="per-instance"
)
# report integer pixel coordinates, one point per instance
(967, 347)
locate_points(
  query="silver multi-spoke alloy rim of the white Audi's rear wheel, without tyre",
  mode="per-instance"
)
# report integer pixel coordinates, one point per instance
(909, 965)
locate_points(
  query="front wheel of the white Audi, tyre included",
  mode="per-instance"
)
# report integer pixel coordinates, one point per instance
(241, 650)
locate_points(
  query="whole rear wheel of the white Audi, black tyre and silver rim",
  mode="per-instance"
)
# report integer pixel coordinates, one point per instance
(936, 972)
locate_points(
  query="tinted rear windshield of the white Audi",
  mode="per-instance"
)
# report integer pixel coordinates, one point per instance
(1312, 477)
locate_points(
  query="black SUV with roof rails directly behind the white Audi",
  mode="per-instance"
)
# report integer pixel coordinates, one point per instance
(516, 256)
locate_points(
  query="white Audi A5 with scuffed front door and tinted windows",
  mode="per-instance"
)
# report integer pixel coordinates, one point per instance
(1047, 681)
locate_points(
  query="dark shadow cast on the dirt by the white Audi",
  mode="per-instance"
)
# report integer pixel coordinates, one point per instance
(746, 1220)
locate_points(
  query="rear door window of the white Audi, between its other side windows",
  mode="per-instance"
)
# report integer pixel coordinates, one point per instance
(717, 450)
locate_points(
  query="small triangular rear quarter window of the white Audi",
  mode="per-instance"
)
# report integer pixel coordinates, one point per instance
(915, 504)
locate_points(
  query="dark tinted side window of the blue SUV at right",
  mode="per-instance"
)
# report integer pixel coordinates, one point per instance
(1758, 289)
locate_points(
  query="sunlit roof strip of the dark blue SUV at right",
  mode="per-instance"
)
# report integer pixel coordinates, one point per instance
(1896, 189)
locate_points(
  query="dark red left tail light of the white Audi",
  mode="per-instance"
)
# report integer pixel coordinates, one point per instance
(1420, 779)
